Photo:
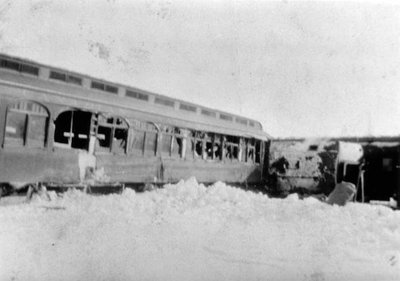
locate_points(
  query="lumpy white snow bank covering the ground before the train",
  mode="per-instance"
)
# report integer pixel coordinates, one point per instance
(189, 232)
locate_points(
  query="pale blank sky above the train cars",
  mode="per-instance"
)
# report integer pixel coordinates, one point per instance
(301, 68)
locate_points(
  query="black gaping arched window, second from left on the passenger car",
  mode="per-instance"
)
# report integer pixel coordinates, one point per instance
(72, 129)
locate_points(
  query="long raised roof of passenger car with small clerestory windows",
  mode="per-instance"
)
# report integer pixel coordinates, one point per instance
(57, 79)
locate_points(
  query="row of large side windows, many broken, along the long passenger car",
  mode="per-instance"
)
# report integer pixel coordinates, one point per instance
(27, 123)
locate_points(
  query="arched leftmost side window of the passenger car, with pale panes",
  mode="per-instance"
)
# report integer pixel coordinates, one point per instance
(26, 124)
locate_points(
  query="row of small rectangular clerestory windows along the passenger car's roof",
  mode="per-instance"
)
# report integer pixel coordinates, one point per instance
(72, 79)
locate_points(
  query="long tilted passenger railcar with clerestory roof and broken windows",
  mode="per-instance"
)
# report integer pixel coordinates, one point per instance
(62, 128)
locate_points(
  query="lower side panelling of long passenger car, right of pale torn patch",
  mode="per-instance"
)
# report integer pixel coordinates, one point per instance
(139, 169)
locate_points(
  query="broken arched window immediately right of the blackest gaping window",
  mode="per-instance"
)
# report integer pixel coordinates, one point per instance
(112, 134)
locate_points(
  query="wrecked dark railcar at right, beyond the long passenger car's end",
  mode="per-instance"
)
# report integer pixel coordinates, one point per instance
(316, 165)
